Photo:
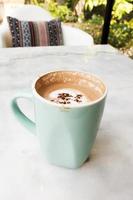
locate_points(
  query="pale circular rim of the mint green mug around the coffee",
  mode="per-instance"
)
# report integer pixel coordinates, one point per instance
(42, 99)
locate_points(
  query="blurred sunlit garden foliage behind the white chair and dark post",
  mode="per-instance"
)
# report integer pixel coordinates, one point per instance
(89, 16)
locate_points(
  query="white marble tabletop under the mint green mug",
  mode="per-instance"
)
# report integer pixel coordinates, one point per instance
(108, 175)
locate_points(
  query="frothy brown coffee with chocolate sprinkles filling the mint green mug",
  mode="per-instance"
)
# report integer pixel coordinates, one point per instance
(69, 88)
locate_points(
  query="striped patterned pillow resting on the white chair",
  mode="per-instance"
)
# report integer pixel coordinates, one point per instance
(41, 33)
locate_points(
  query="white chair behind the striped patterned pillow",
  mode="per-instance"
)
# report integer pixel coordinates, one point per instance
(71, 35)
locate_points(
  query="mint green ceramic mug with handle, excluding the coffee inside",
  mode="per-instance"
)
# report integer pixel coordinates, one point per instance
(66, 133)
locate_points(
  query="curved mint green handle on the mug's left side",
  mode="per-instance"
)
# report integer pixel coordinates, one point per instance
(24, 120)
